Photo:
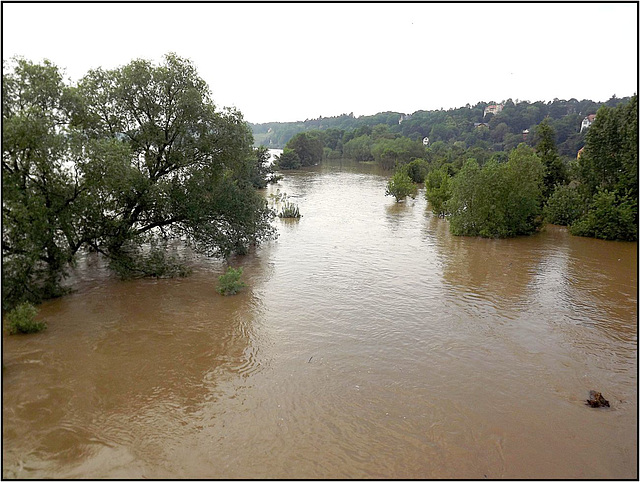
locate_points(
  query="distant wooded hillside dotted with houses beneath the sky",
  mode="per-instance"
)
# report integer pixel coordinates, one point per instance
(472, 125)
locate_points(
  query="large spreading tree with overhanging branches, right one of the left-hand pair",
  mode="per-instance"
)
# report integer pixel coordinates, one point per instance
(164, 162)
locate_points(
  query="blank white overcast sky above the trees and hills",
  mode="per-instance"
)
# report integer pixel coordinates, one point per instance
(288, 62)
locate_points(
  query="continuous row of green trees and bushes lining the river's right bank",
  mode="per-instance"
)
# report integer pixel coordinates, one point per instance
(504, 193)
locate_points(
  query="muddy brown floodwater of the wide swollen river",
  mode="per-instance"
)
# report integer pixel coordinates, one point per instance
(369, 343)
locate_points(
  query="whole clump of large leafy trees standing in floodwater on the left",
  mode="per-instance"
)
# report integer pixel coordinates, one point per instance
(126, 157)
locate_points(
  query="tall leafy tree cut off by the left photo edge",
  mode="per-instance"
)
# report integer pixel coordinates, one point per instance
(43, 194)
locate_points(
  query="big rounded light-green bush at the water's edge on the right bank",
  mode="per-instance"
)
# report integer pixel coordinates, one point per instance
(497, 200)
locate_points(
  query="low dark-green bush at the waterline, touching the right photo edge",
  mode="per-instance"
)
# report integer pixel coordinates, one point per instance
(609, 217)
